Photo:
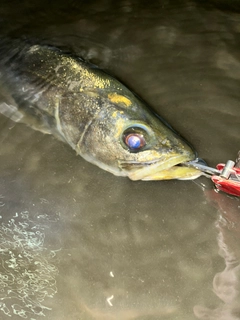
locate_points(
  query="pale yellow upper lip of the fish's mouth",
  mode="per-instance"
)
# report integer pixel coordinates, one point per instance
(164, 162)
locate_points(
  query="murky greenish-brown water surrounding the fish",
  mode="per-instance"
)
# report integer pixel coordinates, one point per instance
(80, 243)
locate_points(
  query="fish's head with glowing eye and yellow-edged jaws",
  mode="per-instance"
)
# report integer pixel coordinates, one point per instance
(127, 139)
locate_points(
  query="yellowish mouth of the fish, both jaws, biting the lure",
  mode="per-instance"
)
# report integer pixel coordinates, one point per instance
(164, 168)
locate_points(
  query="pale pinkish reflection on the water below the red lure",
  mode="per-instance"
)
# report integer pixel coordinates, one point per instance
(226, 284)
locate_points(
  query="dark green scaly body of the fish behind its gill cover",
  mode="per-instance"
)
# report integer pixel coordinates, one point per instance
(42, 79)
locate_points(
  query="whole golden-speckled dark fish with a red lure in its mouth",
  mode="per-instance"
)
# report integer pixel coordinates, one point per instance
(57, 92)
